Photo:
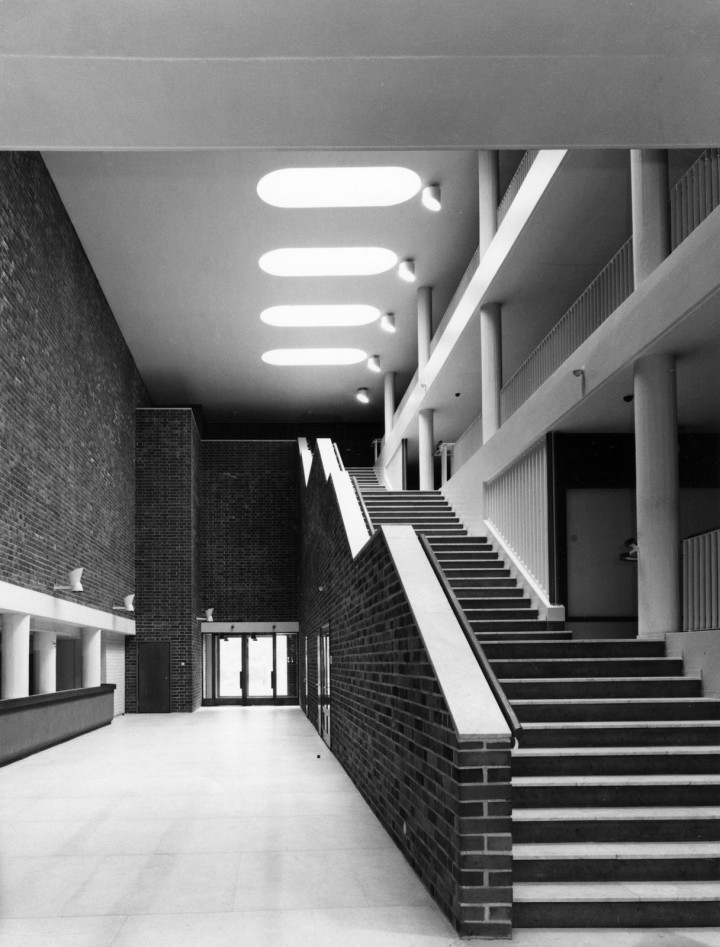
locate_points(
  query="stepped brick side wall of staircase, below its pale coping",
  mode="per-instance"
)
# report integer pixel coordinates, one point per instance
(445, 803)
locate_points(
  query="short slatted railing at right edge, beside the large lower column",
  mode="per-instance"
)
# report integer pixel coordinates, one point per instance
(701, 581)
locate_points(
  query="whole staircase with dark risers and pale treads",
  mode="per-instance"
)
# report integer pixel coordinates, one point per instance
(616, 782)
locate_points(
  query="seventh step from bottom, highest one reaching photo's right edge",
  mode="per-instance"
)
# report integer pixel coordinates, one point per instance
(668, 707)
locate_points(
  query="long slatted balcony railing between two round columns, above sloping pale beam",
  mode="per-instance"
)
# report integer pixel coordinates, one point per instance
(602, 297)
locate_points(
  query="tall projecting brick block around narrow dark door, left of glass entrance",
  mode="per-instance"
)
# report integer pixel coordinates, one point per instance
(168, 550)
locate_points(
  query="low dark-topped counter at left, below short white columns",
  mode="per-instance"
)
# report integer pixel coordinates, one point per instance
(29, 724)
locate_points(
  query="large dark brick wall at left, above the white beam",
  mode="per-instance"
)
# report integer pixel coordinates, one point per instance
(68, 393)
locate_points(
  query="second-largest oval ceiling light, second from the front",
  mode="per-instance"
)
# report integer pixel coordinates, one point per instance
(327, 261)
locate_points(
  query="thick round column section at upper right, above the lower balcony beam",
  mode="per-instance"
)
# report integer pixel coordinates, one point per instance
(650, 211)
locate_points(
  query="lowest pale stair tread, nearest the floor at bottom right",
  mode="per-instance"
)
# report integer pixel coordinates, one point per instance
(617, 891)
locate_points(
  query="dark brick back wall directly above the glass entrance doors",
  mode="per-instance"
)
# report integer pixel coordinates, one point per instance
(250, 529)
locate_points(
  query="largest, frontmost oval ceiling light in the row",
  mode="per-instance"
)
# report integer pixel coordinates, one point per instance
(338, 187)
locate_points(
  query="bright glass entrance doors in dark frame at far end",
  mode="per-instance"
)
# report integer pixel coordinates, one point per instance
(250, 668)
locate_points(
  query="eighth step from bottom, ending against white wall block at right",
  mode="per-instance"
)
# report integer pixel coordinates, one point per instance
(600, 687)
